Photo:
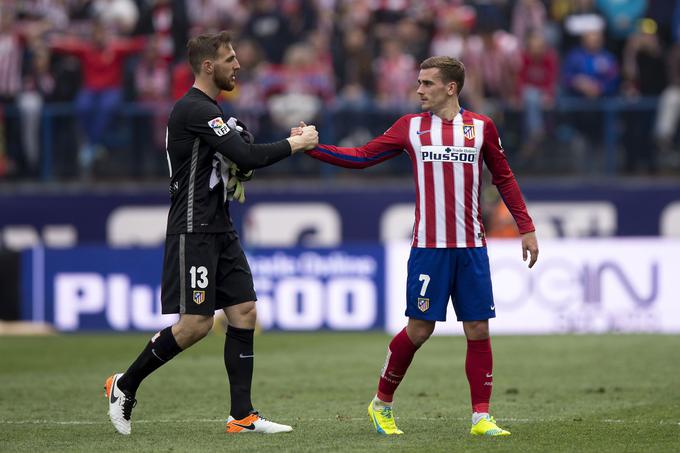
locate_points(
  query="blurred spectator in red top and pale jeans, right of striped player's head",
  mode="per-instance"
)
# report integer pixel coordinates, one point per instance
(537, 87)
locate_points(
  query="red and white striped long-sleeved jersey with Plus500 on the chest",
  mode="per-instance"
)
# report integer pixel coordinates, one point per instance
(447, 161)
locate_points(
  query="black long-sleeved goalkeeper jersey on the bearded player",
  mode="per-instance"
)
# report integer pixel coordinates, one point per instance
(197, 130)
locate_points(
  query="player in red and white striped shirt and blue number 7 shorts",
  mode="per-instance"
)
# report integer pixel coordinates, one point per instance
(447, 146)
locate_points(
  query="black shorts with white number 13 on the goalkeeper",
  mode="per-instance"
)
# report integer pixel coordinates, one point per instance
(204, 272)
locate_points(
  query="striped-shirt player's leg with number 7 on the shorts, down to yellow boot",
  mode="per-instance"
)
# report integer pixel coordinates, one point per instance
(427, 295)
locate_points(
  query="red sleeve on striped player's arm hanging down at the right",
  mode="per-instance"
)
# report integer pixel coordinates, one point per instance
(504, 179)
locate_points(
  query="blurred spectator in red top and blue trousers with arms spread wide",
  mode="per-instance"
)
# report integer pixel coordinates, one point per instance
(101, 60)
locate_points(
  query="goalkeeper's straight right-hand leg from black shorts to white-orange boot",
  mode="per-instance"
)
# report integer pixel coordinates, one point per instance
(236, 295)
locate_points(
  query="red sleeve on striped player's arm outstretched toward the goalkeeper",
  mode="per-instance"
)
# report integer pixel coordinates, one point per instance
(388, 145)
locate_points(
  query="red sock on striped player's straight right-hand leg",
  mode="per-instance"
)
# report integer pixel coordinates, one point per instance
(478, 368)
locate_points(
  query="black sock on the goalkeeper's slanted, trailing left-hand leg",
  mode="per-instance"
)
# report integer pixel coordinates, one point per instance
(158, 351)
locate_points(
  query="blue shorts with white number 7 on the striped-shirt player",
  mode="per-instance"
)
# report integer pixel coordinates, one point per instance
(437, 274)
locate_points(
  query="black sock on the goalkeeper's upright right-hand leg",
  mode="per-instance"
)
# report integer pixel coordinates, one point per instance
(239, 358)
